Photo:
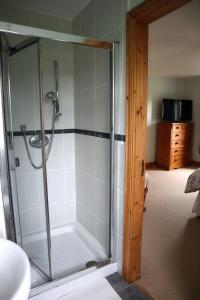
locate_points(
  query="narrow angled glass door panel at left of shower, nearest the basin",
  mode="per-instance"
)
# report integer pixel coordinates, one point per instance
(25, 115)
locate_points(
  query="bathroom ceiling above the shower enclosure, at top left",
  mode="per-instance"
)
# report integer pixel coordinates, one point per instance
(67, 9)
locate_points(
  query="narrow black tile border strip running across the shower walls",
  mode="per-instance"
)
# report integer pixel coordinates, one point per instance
(105, 135)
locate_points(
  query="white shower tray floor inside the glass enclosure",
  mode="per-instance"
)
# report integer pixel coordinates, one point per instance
(70, 253)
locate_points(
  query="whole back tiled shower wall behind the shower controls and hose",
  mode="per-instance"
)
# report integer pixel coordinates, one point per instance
(26, 110)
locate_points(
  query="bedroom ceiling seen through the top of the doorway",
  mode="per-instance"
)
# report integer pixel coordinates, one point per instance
(174, 43)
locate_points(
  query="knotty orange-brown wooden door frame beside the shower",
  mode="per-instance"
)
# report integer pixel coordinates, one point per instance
(138, 20)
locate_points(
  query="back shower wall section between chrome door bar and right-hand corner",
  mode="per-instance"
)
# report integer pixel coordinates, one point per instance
(61, 163)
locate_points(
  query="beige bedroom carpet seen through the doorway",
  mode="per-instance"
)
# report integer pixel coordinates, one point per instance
(171, 239)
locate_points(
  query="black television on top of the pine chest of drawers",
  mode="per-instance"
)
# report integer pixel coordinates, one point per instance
(177, 110)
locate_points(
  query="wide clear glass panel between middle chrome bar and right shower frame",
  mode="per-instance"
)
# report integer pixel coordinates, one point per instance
(78, 167)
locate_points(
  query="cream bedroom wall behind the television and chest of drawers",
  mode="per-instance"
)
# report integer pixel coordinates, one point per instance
(168, 87)
